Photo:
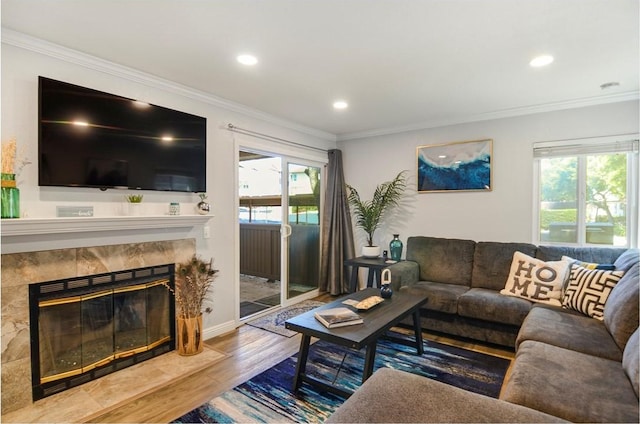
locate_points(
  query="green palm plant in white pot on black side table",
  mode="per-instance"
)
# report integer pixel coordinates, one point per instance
(370, 213)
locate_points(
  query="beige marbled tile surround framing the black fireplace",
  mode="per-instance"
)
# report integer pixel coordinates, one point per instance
(21, 269)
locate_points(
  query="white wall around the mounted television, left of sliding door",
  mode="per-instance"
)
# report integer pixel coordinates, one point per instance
(20, 70)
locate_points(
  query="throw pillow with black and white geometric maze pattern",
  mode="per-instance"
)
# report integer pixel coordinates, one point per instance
(588, 290)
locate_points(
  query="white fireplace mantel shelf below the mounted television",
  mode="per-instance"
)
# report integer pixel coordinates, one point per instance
(35, 226)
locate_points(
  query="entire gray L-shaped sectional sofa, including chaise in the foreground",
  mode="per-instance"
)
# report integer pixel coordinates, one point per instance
(568, 366)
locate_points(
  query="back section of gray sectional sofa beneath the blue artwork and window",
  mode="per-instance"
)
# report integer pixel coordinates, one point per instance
(463, 279)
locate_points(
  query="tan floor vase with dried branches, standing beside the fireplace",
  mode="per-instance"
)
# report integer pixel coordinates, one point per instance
(193, 280)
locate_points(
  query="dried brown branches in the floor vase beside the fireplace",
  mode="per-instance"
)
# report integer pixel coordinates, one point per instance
(193, 279)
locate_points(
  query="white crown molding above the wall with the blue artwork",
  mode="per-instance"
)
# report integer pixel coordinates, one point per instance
(505, 113)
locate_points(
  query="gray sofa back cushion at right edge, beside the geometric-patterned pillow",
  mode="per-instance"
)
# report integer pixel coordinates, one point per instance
(621, 310)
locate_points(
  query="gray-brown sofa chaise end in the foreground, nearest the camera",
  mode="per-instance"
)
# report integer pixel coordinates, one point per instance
(392, 396)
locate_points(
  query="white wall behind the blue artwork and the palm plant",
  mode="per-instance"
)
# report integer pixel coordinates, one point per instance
(505, 213)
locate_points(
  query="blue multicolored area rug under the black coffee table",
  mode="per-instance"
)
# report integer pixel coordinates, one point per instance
(268, 398)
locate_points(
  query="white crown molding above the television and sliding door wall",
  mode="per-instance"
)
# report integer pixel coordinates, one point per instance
(37, 45)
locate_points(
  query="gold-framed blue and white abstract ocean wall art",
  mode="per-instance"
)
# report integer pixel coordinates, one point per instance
(460, 166)
